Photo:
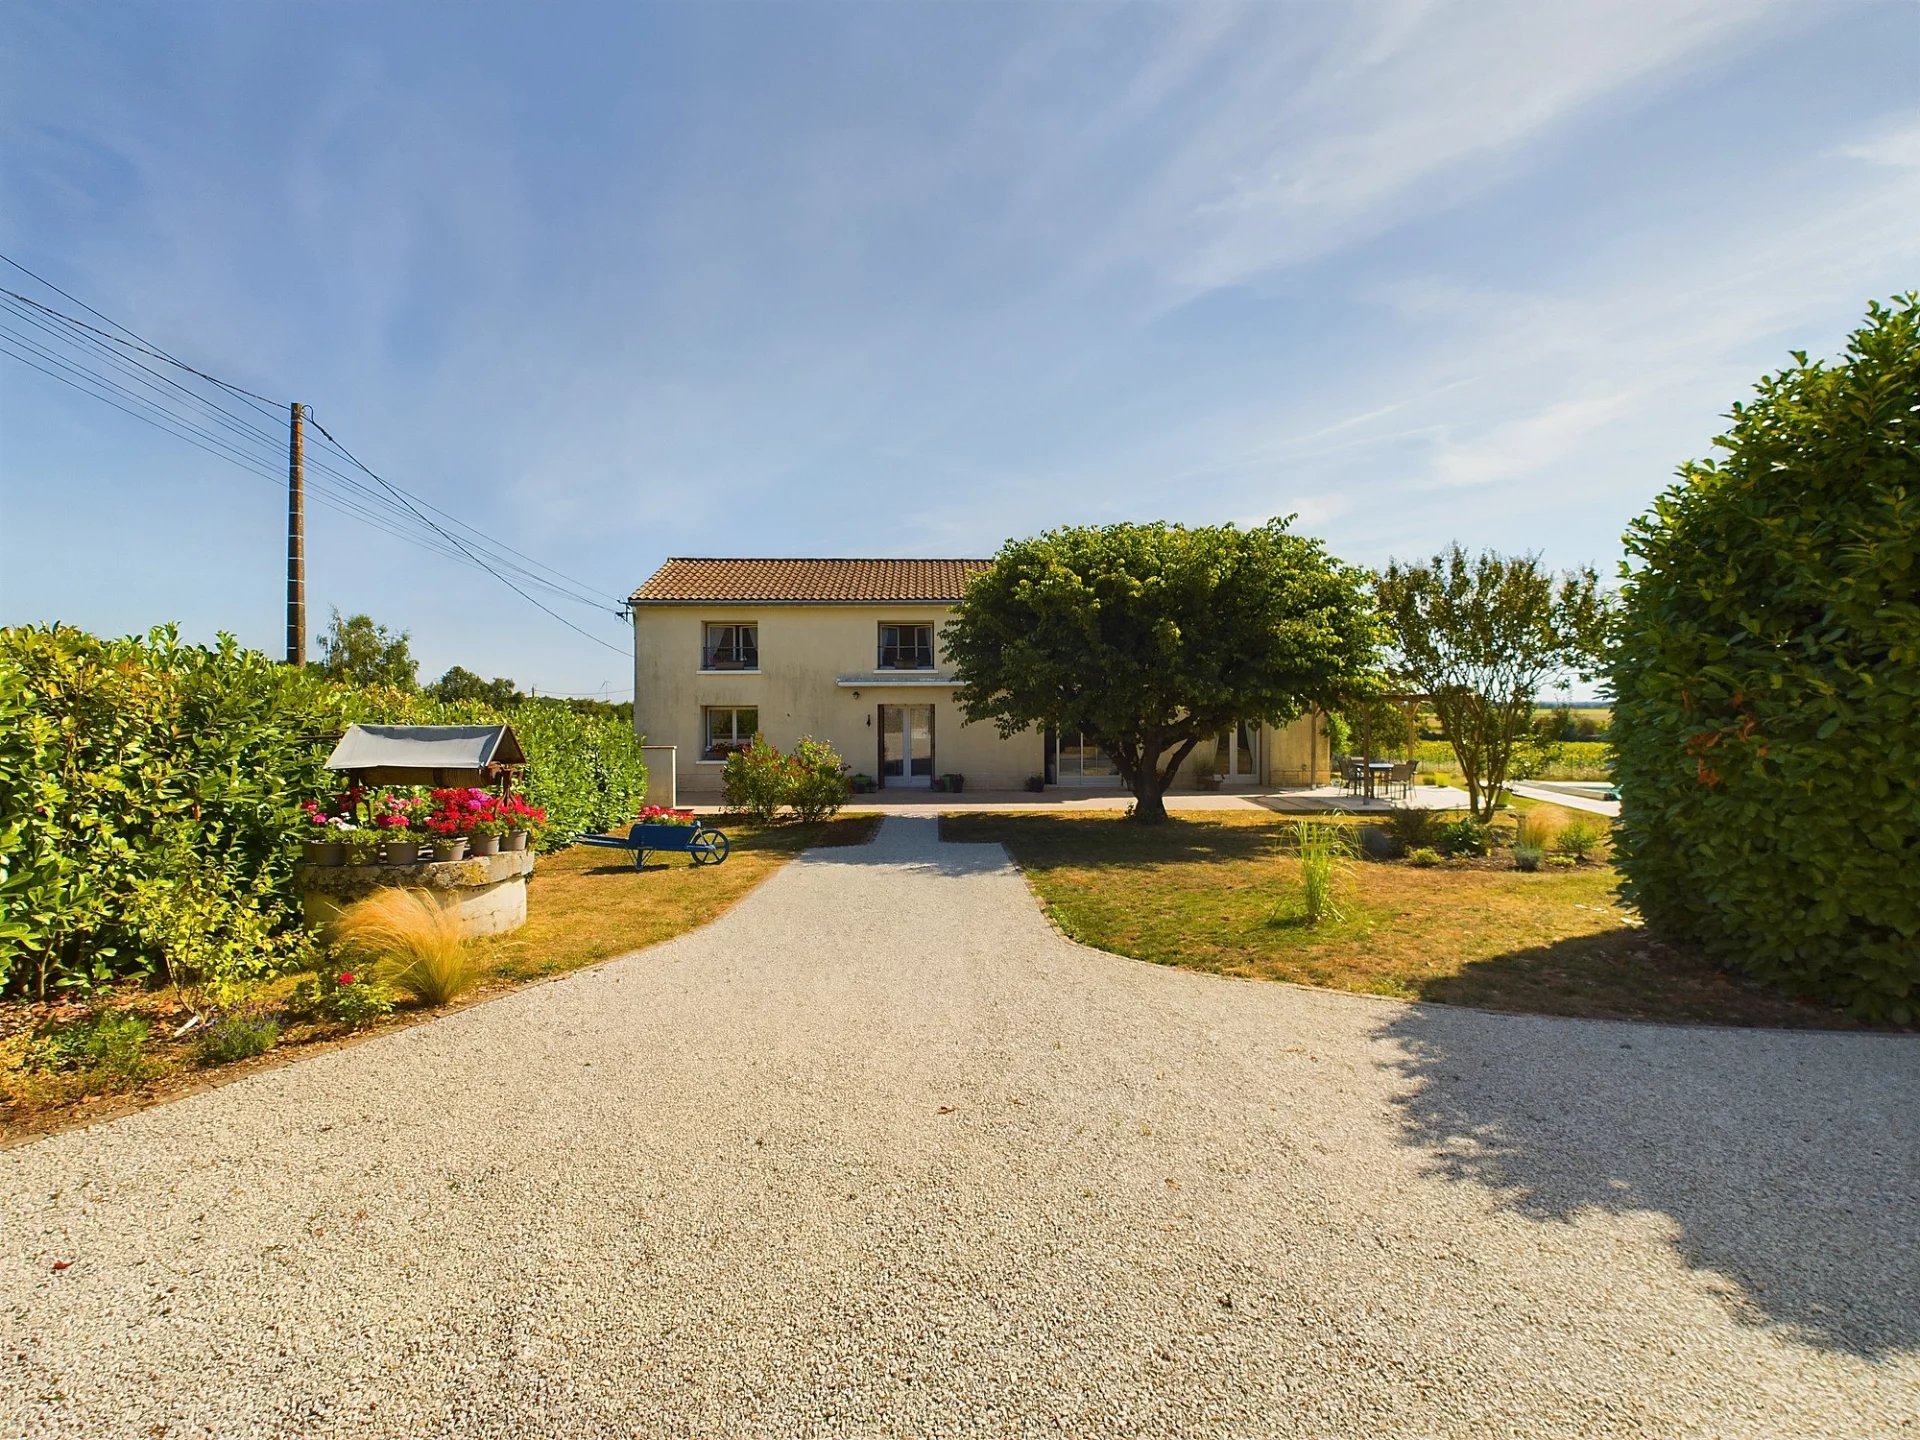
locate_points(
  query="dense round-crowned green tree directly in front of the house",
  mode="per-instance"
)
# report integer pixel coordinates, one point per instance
(1155, 638)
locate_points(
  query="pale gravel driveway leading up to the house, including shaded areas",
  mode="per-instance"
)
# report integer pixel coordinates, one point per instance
(880, 1155)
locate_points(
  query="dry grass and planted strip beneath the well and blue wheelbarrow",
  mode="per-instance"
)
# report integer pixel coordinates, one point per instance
(78, 1063)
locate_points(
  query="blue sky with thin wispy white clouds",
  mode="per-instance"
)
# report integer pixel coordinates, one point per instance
(615, 283)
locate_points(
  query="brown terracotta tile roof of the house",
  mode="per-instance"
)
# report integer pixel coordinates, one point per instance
(807, 583)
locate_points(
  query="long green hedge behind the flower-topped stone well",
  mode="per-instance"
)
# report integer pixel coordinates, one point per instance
(122, 756)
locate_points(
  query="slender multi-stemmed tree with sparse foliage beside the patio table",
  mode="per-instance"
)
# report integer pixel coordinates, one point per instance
(1481, 636)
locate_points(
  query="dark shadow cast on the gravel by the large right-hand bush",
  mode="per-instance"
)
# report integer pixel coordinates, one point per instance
(1787, 1163)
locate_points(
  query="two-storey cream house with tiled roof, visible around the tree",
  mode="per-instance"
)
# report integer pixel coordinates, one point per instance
(850, 652)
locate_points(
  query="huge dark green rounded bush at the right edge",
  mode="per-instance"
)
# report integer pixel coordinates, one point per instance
(1767, 684)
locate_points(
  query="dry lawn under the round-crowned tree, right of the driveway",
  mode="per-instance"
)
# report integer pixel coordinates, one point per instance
(1218, 894)
